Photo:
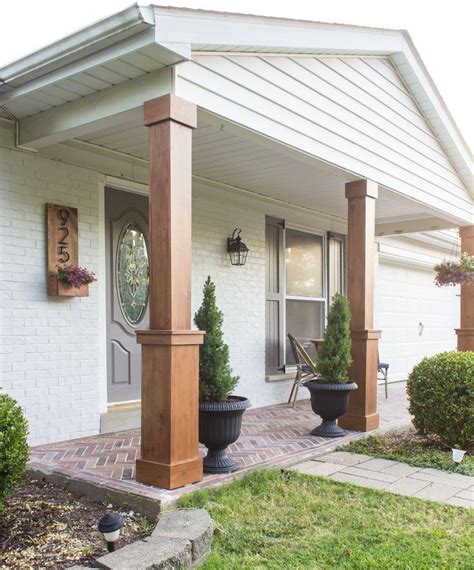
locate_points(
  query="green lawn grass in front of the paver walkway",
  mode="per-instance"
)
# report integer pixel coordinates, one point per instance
(274, 519)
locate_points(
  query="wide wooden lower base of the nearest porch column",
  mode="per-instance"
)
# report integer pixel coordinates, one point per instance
(170, 408)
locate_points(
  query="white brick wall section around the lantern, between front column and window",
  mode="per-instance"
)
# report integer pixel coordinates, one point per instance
(240, 290)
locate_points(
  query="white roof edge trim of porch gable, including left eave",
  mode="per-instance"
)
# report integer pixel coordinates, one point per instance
(141, 40)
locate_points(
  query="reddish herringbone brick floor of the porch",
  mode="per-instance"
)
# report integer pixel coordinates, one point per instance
(271, 436)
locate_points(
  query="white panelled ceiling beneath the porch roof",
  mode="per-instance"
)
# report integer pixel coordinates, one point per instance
(221, 156)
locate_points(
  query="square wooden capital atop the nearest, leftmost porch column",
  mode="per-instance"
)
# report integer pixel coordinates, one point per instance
(170, 108)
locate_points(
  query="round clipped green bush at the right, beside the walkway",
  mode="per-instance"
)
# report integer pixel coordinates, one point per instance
(441, 393)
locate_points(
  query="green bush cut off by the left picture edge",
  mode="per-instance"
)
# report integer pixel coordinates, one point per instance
(13, 447)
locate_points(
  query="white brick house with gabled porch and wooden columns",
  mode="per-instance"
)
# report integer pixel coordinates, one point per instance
(289, 115)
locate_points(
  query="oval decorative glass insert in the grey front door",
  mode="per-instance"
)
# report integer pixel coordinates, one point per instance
(132, 272)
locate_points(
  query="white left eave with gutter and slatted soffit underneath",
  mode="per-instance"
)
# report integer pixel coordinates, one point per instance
(111, 52)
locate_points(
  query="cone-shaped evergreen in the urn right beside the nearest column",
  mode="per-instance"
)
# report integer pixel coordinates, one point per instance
(215, 375)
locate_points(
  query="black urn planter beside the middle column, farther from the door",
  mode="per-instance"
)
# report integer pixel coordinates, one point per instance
(329, 401)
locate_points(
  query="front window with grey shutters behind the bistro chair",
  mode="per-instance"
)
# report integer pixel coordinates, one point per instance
(303, 270)
